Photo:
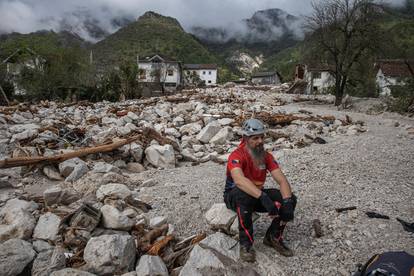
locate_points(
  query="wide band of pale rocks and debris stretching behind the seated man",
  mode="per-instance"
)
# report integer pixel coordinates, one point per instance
(189, 127)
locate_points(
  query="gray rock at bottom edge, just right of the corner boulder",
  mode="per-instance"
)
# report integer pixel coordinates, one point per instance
(49, 261)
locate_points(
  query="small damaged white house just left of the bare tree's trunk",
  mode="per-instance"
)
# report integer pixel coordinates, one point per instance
(319, 79)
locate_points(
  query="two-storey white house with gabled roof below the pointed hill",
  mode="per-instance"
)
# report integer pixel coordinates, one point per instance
(160, 69)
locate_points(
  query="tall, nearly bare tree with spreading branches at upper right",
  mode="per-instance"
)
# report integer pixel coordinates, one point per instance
(342, 32)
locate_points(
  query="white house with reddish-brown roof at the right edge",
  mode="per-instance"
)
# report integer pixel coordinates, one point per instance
(391, 73)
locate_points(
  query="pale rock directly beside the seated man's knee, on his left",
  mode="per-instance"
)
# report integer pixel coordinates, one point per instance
(219, 217)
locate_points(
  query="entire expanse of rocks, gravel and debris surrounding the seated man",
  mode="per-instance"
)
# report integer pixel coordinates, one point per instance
(135, 187)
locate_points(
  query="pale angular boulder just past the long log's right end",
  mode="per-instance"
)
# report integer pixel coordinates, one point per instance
(160, 156)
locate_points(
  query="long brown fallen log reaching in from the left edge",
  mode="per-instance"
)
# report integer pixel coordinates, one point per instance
(25, 161)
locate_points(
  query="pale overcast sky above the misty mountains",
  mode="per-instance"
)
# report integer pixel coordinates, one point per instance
(30, 15)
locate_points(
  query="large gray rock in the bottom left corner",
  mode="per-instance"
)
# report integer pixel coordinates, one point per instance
(15, 255)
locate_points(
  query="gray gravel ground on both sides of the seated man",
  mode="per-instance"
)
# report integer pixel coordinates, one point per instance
(373, 171)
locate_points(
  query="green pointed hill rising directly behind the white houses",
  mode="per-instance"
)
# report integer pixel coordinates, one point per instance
(151, 33)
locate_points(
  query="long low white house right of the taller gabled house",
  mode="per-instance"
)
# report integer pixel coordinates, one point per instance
(206, 73)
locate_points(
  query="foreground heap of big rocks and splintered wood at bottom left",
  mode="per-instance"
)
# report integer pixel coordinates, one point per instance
(108, 233)
